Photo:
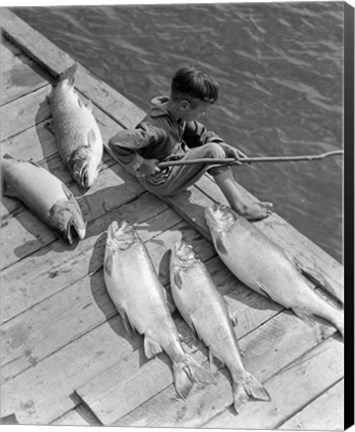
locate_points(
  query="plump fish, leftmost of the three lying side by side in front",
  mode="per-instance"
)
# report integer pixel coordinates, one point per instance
(137, 293)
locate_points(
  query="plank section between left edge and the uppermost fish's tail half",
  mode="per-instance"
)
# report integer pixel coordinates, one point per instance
(28, 111)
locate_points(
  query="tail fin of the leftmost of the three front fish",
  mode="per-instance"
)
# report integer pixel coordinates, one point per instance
(186, 373)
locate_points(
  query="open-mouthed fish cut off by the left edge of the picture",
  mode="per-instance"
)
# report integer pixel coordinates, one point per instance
(45, 195)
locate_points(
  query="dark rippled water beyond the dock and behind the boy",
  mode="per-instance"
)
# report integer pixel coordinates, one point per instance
(279, 66)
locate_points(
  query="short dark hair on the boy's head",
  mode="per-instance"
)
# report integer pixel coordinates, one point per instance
(191, 82)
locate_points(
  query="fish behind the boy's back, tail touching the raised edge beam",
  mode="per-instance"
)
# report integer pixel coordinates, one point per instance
(76, 131)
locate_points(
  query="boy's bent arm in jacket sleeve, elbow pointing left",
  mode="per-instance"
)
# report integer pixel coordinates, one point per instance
(125, 144)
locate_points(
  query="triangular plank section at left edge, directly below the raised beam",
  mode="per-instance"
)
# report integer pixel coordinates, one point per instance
(19, 75)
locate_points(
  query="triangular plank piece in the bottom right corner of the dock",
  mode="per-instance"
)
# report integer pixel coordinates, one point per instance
(325, 413)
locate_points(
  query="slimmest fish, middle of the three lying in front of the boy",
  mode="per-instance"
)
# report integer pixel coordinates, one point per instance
(210, 317)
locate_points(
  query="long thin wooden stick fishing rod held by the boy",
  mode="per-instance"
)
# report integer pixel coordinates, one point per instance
(234, 161)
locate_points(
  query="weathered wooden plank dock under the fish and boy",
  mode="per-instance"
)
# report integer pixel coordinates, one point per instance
(65, 356)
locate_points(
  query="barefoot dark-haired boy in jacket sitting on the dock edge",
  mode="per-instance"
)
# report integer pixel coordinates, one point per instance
(170, 131)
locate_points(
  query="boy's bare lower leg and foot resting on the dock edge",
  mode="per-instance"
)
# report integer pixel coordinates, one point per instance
(250, 210)
